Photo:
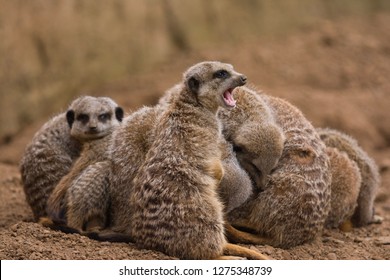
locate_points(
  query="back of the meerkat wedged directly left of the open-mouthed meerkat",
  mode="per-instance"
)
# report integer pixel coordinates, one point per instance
(129, 146)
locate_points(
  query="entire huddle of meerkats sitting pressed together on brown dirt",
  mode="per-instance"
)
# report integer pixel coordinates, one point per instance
(180, 173)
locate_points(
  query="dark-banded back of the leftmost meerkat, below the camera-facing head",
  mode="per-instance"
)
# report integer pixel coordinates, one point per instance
(46, 160)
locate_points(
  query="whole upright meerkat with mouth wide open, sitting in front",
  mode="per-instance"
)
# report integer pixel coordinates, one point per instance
(174, 205)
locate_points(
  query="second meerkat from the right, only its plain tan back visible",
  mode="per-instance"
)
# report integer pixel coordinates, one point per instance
(345, 187)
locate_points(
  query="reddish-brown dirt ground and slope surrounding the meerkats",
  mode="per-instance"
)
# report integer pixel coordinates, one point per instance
(336, 73)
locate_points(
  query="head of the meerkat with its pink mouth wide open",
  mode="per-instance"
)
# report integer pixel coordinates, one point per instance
(212, 83)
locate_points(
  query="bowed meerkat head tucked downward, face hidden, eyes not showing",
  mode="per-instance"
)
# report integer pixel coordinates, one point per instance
(258, 149)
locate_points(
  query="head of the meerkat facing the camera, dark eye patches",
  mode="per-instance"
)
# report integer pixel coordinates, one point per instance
(93, 117)
